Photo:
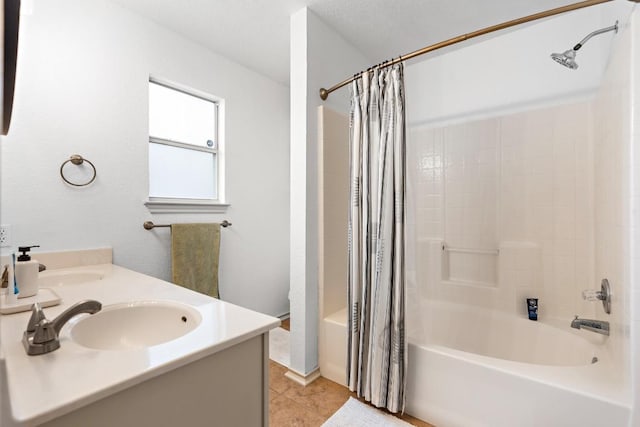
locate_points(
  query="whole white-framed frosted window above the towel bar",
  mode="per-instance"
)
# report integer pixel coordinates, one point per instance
(185, 156)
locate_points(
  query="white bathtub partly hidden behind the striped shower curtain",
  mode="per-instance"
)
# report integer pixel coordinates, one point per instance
(476, 367)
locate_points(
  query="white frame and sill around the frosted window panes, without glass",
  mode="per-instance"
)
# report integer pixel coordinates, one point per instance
(187, 205)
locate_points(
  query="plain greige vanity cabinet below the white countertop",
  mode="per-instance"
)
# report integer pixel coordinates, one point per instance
(226, 389)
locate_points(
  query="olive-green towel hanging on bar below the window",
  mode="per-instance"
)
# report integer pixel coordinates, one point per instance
(195, 249)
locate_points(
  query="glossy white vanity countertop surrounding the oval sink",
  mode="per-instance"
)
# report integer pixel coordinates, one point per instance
(44, 387)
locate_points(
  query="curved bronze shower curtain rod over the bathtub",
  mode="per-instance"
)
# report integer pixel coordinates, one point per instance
(324, 93)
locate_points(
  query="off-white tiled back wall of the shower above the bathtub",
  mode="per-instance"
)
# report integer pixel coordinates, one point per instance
(511, 193)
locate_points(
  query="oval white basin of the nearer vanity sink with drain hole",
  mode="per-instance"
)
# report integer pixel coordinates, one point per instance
(134, 325)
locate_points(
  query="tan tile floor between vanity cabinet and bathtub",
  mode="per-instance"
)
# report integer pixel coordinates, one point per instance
(292, 405)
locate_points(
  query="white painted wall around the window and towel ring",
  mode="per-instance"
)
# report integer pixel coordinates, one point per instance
(82, 88)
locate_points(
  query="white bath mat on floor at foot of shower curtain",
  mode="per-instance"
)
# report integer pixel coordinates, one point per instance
(357, 414)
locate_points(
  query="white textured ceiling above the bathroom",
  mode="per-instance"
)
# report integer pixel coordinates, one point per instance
(255, 33)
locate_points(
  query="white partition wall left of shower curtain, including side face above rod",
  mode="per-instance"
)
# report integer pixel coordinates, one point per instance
(319, 58)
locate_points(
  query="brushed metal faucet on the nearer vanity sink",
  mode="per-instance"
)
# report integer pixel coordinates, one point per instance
(42, 334)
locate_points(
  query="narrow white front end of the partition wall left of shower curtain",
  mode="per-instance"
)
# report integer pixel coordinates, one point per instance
(304, 244)
